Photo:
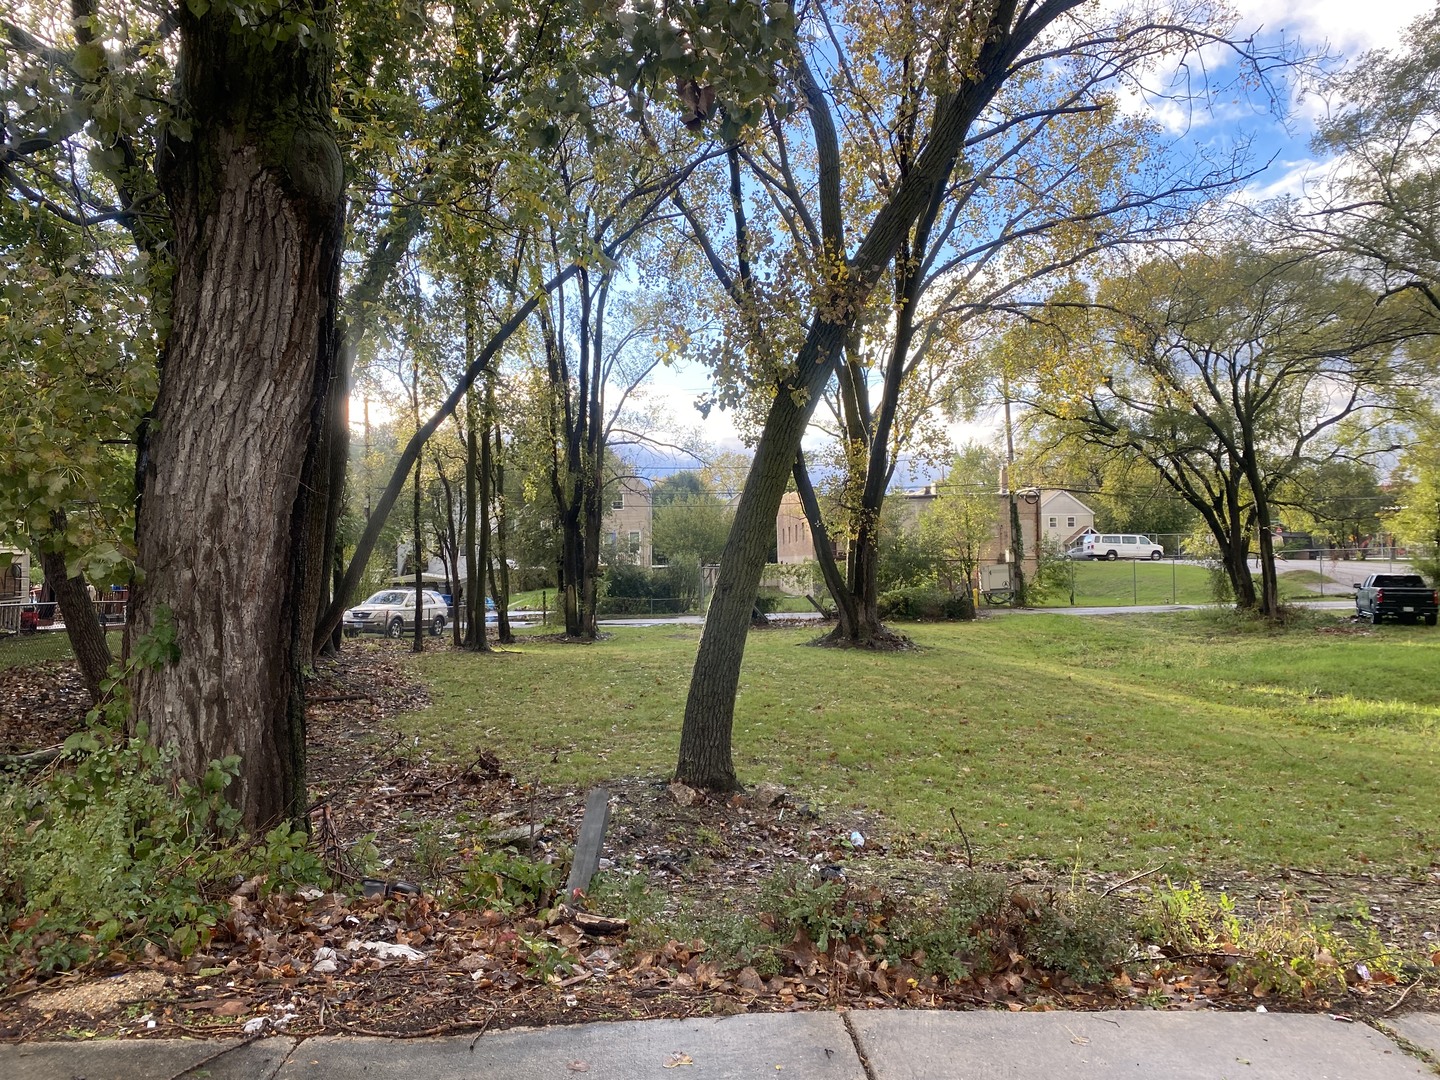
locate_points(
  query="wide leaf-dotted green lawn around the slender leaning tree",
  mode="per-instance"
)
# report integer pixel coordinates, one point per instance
(1118, 742)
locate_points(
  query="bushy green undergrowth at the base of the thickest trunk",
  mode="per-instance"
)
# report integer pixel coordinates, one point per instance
(116, 852)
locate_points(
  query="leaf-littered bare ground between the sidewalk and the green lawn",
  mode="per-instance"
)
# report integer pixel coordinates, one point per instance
(404, 966)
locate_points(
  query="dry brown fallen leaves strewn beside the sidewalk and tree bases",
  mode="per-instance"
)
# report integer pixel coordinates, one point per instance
(405, 966)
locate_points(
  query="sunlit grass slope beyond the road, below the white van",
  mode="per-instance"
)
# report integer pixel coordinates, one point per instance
(1135, 582)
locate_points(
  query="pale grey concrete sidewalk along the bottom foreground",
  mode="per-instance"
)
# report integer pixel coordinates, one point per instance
(803, 1046)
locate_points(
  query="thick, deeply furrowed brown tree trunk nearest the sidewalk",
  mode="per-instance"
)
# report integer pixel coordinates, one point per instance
(256, 198)
